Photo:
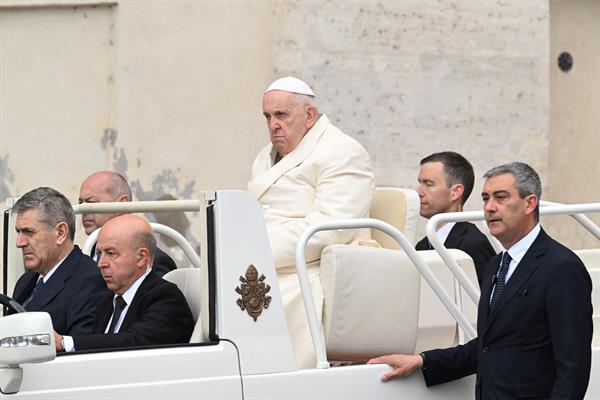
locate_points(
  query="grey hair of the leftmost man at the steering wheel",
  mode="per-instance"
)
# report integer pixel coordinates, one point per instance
(53, 206)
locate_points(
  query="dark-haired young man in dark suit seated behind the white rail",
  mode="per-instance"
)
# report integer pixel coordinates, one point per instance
(445, 183)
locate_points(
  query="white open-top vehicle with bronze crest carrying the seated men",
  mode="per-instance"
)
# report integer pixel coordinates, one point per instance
(377, 301)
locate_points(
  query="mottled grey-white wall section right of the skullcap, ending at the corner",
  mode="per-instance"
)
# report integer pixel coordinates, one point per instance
(410, 78)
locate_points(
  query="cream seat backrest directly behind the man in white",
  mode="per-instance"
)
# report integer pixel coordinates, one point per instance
(399, 208)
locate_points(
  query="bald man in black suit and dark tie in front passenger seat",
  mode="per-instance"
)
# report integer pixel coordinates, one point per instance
(142, 308)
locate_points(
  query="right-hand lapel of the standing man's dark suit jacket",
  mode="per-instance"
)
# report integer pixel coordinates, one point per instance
(526, 267)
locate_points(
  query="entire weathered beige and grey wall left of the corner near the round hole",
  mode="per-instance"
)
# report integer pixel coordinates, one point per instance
(169, 93)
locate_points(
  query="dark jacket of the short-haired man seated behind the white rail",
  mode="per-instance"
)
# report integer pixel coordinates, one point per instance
(466, 237)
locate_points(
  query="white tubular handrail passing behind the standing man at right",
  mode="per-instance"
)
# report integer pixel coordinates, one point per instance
(547, 208)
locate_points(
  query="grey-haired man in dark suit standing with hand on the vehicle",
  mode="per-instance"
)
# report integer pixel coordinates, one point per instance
(534, 321)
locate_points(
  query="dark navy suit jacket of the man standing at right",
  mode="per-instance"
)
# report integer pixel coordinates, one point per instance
(536, 343)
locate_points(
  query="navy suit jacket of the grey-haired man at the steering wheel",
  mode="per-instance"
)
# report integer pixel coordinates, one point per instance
(70, 296)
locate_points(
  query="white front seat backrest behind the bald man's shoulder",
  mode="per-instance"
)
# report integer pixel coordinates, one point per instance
(188, 280)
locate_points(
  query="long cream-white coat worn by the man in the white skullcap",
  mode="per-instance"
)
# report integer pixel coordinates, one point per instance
(327, 176)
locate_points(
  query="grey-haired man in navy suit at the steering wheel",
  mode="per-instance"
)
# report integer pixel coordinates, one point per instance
(60, 279)
